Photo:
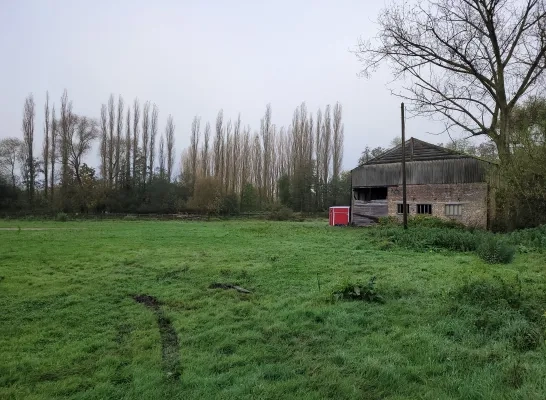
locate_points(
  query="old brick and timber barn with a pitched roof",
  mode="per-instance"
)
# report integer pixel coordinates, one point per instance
(440, 182)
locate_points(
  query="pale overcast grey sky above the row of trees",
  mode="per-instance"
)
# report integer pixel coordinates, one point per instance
(196, 57)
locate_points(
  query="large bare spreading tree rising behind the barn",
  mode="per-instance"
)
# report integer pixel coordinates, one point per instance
(468, 61)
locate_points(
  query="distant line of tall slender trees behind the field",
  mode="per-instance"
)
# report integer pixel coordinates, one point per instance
(227, 167)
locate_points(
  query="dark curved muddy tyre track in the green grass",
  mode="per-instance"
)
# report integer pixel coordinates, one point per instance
(170, 351)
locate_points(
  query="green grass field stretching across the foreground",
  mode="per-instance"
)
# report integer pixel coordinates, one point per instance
(451, 326)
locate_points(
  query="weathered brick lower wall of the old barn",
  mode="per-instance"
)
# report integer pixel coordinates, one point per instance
(472, 197)
